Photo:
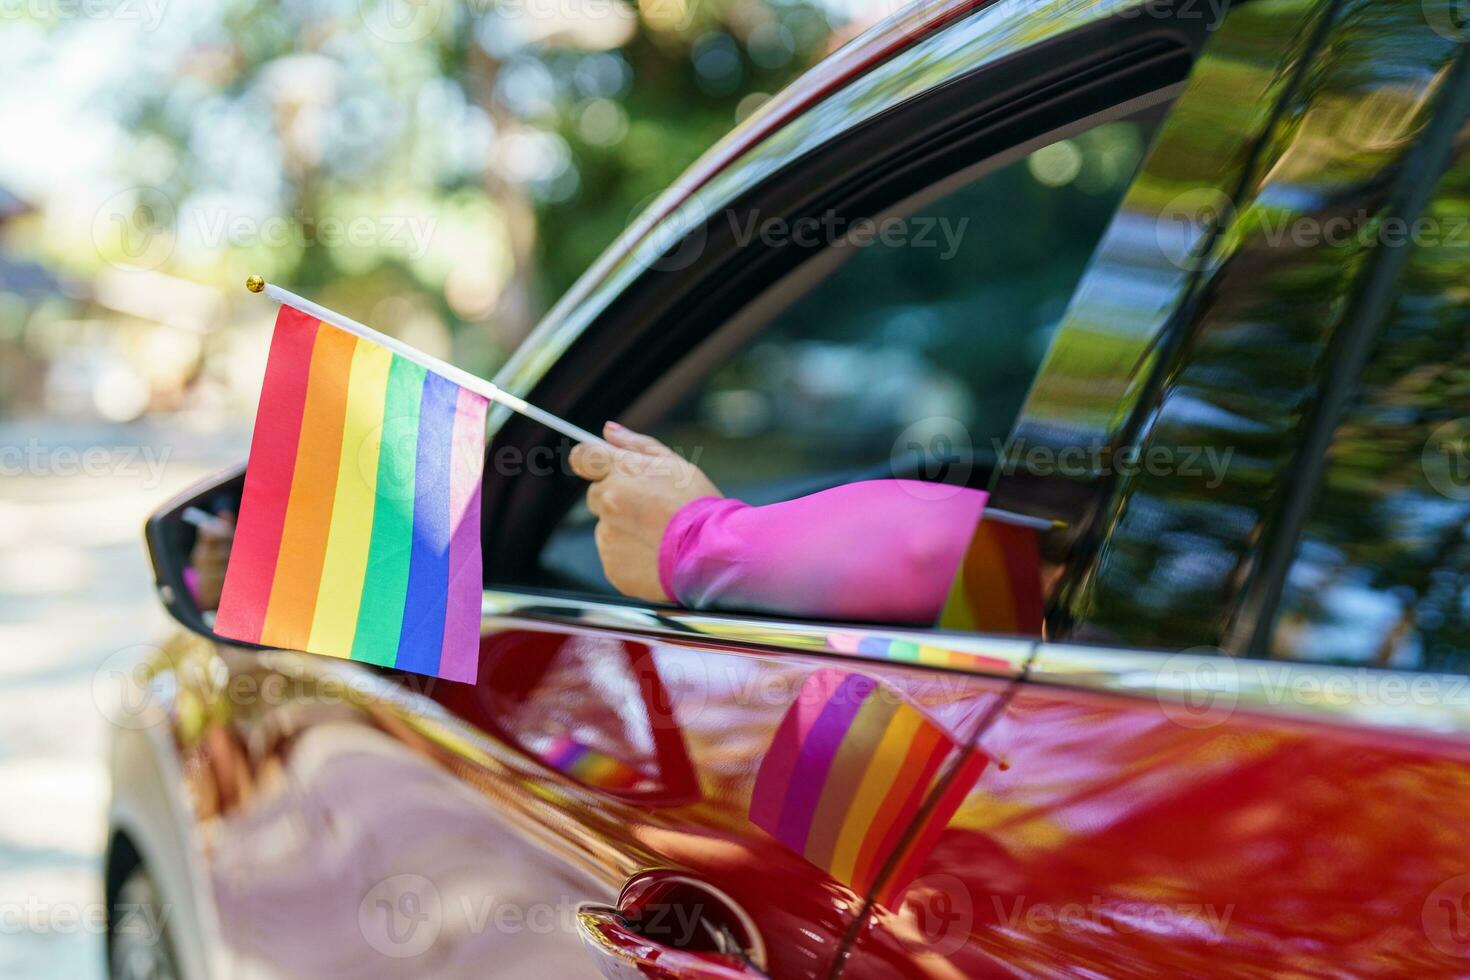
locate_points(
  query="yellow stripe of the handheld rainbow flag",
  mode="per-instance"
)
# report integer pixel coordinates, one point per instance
(346, 562)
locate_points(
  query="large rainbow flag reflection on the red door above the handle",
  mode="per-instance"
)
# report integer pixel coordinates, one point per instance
(846, 777)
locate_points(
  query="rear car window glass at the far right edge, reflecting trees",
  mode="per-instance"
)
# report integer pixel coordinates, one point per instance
(1383, 574)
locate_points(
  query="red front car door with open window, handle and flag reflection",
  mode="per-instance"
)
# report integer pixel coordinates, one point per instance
(614, 794)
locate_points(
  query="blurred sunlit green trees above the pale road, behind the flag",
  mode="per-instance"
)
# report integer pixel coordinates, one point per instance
(443, 170)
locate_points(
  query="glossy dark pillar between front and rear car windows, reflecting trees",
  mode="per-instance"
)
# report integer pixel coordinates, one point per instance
(1186, 380)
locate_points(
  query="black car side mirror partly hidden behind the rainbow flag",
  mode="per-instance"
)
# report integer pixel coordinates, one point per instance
(189, 544)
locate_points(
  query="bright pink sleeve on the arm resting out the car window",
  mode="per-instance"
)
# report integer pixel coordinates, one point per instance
(880, 552)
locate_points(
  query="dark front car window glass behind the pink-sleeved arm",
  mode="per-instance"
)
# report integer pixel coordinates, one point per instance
(912, 355)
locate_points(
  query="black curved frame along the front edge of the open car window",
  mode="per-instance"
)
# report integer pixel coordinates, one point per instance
(865, 171)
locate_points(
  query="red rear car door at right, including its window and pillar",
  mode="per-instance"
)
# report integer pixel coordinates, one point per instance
(1241, 747)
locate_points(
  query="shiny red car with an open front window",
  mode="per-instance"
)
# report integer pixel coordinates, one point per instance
(1187, 292)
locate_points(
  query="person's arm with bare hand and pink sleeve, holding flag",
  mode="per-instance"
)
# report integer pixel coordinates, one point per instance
(878, 550)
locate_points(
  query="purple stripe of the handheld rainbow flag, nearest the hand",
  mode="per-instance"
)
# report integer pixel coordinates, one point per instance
(461, 659)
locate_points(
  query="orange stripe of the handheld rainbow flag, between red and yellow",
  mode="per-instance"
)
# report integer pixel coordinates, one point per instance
(314, 489)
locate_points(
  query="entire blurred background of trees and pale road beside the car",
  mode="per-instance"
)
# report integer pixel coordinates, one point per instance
(439, 168)
